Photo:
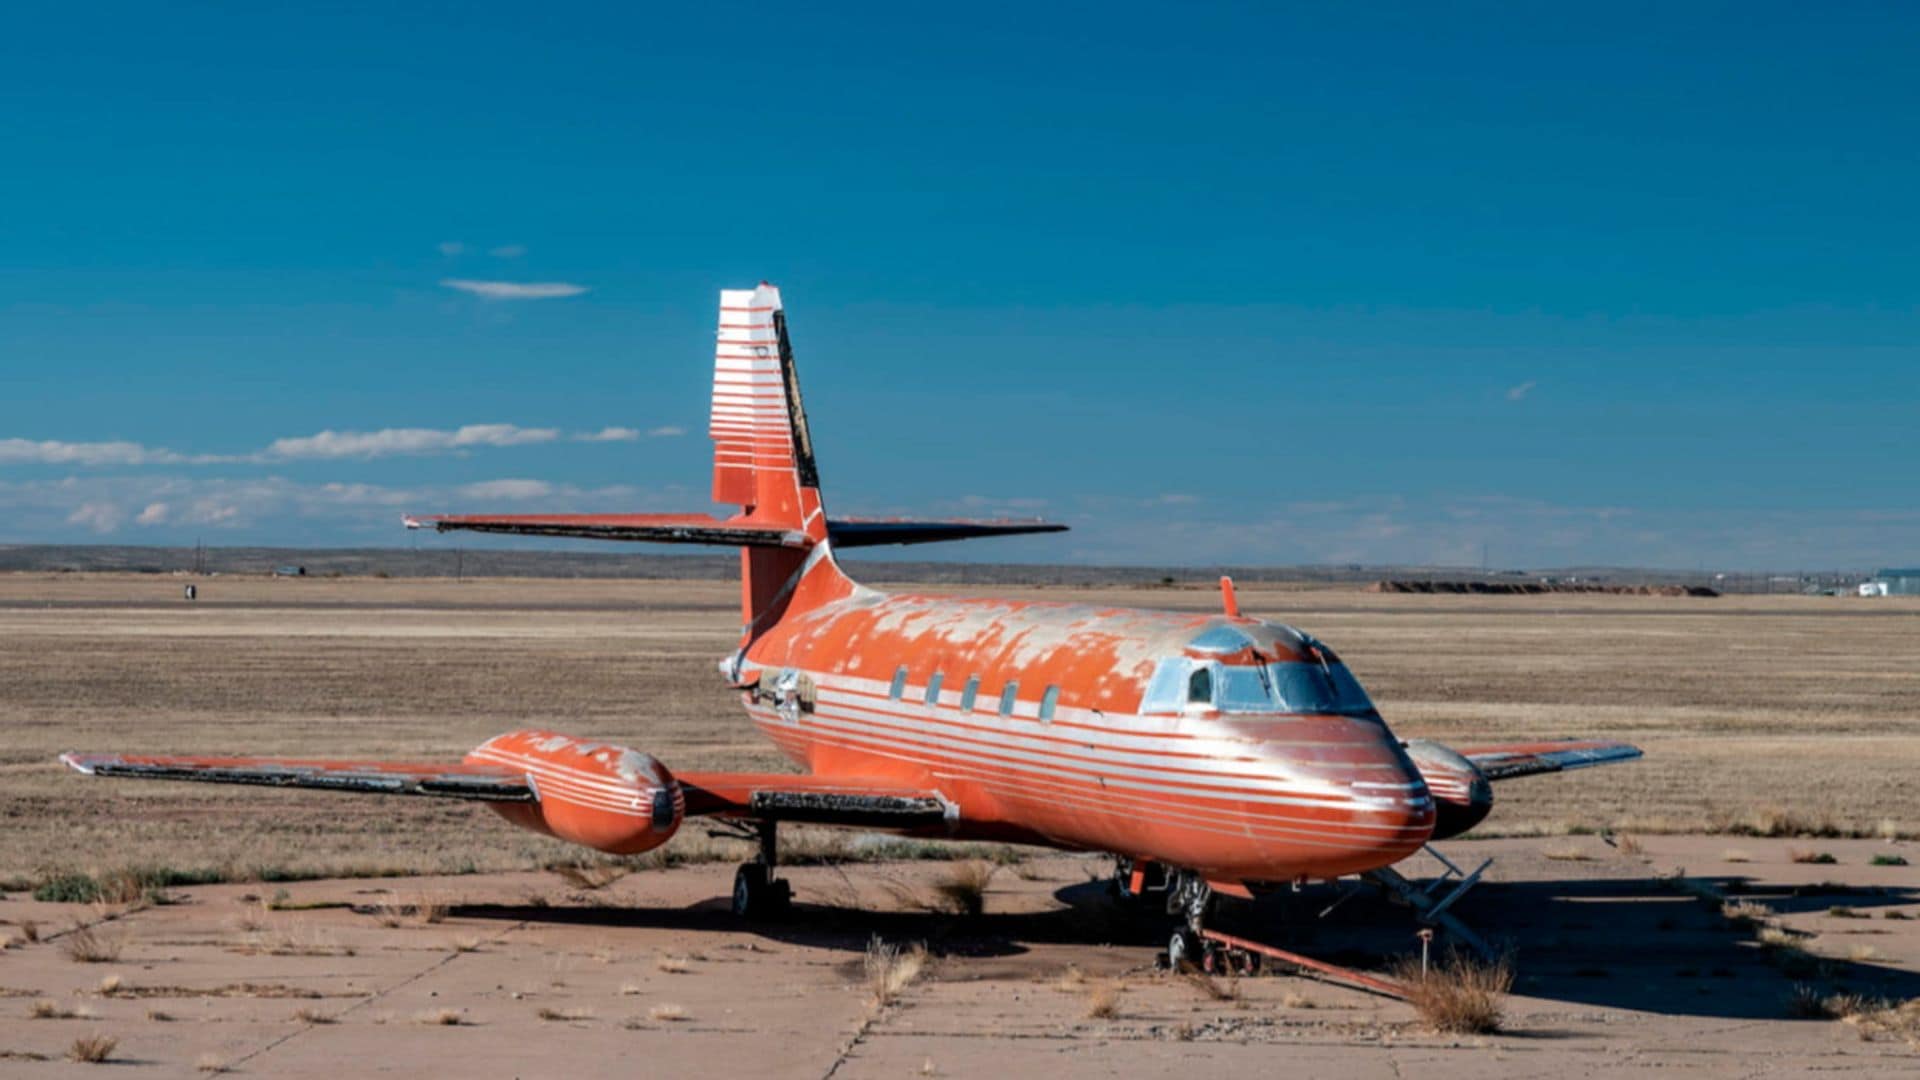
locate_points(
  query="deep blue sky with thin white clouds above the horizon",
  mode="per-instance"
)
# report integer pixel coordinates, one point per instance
(1209, 283)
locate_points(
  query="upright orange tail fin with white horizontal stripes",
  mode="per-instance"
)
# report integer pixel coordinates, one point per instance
(765, 458)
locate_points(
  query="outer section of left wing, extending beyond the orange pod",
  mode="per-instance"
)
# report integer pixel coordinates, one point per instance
(373, 777)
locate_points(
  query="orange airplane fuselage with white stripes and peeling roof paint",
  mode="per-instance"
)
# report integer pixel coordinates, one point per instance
(1230, 747)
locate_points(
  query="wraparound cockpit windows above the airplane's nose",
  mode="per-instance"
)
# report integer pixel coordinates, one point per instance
(1287, 687)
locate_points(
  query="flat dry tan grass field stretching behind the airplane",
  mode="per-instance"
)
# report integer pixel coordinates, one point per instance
(1758, 714)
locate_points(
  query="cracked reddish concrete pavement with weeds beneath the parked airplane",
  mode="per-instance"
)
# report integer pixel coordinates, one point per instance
(1621, 971)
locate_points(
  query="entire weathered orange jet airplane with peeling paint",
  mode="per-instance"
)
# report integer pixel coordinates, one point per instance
(1211, 754)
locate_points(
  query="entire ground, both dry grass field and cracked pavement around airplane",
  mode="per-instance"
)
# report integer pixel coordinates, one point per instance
(1739, 904)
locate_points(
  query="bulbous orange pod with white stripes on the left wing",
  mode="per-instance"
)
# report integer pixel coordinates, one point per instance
(596, 795)
